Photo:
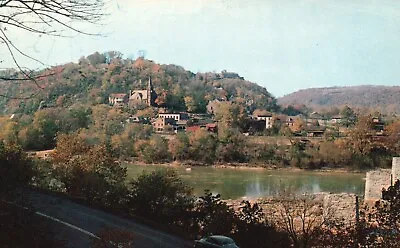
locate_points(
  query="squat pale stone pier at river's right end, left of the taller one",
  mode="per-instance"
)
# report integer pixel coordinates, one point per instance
(375, 181)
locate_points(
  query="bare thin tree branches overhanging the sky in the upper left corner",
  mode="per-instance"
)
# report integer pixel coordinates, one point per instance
(44, 17)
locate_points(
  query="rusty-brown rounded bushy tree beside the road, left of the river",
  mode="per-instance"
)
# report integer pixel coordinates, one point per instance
(89, 172)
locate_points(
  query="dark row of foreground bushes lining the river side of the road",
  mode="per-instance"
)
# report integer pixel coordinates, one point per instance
(90, 173)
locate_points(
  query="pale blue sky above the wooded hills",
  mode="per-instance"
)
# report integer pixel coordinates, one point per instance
(282, 45)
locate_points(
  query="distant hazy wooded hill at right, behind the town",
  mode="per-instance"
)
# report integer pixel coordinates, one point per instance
(384, 99)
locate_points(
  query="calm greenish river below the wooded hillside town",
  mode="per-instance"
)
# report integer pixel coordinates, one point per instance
(235, 183)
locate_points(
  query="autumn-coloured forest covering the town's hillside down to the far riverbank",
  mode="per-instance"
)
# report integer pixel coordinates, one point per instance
(73, 100)
